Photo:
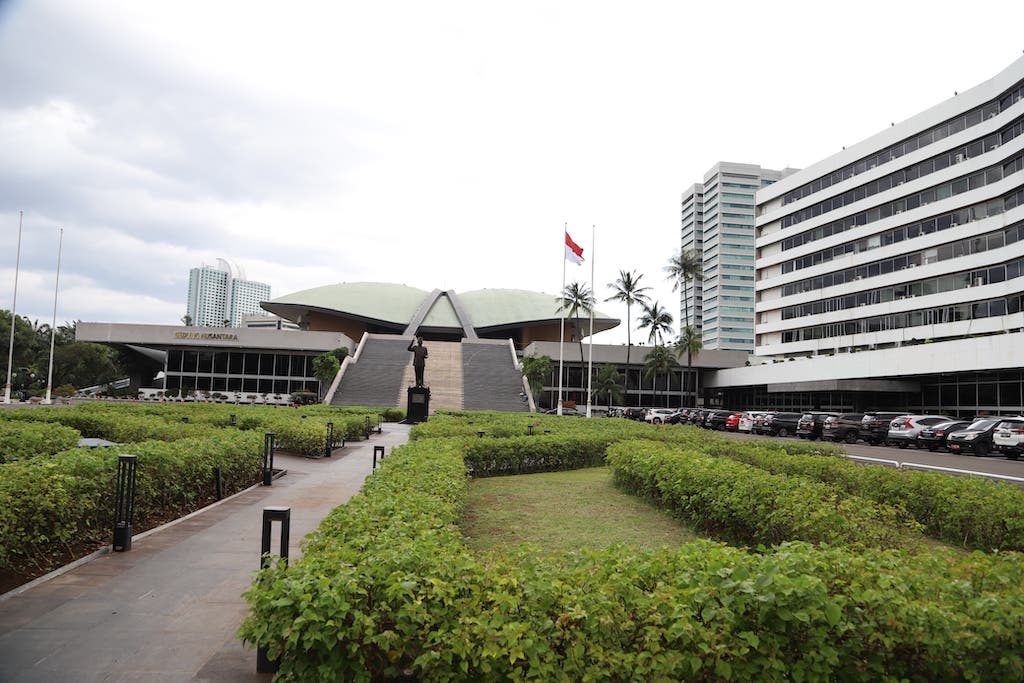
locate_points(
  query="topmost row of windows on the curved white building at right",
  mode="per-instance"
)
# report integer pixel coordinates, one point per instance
(944, 131)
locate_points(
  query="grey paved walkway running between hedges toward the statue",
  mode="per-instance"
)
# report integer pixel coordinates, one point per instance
(168, 610)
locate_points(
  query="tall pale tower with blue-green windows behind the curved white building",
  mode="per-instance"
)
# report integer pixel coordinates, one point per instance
(718, 224)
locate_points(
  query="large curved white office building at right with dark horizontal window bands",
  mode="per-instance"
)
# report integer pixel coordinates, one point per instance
(893, 273)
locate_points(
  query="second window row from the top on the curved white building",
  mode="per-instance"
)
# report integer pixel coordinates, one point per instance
(920, 170)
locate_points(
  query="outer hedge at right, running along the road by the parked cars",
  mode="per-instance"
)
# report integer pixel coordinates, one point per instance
(973, 513)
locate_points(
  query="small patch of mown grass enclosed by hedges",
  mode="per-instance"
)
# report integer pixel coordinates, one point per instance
(565, 511)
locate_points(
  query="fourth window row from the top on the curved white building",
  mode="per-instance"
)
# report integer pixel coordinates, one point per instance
(938, 224)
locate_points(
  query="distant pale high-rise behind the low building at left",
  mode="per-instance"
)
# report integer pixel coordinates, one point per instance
(222, 297)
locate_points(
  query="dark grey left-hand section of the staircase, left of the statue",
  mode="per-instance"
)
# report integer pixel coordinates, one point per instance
(376, 378)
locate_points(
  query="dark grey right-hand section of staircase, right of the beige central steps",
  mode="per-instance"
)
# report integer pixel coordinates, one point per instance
(491, 380)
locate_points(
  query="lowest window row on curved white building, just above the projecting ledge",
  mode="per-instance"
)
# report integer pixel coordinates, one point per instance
(914, 319)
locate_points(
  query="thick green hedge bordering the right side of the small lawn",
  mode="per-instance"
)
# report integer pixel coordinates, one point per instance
(748, 505)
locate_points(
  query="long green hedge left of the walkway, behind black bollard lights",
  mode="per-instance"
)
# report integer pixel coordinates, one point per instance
(56, 505)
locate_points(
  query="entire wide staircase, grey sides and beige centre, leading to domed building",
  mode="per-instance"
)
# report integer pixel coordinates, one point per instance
(478, 374)
